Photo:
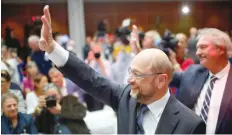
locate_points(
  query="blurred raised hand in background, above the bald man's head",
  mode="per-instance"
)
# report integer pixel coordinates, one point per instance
(134, 40)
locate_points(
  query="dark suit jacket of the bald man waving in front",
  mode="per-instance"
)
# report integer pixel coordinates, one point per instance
(176, 118)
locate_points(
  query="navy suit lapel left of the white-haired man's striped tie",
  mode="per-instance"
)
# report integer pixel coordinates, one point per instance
(198, 83)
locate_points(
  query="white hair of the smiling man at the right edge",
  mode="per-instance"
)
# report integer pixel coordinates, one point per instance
(219, 38)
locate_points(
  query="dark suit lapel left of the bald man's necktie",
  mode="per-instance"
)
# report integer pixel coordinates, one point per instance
(132, 116)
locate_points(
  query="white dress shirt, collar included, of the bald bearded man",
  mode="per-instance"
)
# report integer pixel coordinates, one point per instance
(152, 116)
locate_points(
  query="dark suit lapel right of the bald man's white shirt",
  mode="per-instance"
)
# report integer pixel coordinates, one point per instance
(169, 118)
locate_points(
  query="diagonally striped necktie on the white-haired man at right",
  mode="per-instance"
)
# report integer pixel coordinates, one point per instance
(206, 103)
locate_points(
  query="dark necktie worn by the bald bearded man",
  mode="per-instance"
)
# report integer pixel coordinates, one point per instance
(143, 110)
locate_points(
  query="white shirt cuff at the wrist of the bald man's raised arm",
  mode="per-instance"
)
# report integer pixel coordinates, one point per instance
(59, 56)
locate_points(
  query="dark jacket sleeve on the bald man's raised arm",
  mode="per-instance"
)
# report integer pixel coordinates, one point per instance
(92, 82)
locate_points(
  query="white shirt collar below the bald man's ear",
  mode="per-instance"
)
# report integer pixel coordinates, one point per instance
(158, 106)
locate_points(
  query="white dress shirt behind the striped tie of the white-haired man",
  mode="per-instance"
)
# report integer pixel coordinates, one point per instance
(216, 98)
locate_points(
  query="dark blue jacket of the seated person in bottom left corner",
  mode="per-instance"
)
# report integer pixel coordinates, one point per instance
(25, 125)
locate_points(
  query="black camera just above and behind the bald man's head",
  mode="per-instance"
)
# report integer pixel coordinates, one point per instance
(169, 41)
